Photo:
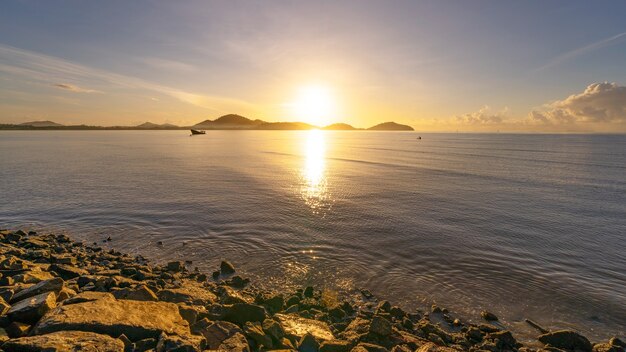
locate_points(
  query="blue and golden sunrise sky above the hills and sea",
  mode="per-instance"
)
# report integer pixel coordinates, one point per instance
(509, 66)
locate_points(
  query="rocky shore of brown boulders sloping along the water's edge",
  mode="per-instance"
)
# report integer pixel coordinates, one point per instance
(61, 295)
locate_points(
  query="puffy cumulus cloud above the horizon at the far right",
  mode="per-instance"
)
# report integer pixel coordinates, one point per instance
(598, 103)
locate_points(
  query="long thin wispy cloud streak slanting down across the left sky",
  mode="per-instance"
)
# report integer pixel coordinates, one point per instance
(51, 70)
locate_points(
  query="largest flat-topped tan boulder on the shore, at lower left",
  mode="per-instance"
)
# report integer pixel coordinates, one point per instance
(136, 319)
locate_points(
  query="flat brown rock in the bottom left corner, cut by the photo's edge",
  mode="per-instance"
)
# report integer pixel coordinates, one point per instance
(65, 341)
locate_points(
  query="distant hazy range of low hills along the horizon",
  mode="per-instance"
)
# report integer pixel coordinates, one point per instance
(226, 122)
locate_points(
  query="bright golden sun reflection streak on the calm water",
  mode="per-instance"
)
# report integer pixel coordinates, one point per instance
(314, 189)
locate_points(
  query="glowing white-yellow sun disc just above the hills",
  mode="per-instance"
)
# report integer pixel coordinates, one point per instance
(314, 104)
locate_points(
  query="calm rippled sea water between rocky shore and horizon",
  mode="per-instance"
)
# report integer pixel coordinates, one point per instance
(526, 226)
